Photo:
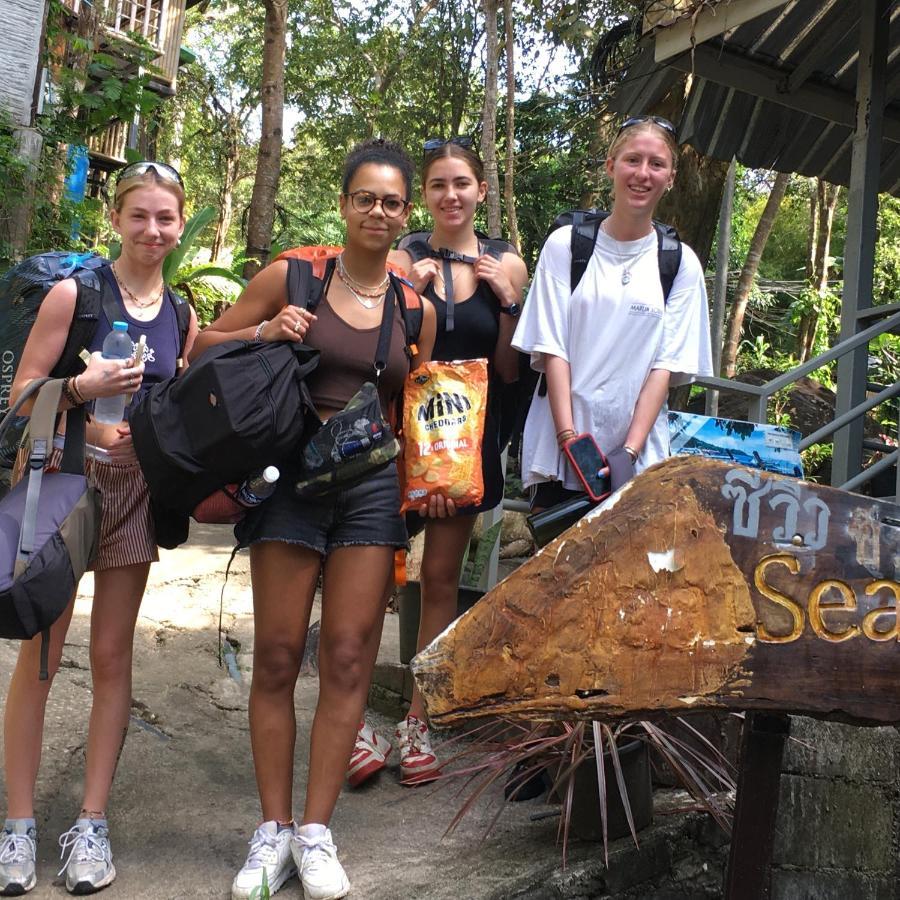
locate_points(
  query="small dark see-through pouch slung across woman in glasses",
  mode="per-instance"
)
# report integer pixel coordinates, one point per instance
(358, 440)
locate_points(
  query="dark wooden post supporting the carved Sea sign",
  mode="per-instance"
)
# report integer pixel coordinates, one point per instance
(753, 834)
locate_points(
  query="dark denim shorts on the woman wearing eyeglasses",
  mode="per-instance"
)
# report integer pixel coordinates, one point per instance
(366, 514)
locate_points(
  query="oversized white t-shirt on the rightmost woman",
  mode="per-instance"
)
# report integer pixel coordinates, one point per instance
(612, 336)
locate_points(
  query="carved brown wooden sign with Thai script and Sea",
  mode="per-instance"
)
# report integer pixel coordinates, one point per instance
(700, 585)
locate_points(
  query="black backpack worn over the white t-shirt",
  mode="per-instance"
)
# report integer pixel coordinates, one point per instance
(585, 225)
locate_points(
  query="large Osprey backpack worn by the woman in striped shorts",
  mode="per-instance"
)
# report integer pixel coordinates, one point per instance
(22, 290)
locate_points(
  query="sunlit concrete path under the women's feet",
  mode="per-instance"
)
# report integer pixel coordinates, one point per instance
(184, 802)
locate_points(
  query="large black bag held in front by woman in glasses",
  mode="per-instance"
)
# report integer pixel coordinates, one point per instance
(241, 406)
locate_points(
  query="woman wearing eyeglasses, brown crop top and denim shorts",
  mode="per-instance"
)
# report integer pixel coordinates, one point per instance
(349, 537)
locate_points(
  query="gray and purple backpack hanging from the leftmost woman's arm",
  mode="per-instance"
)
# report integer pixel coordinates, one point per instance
(49, 524)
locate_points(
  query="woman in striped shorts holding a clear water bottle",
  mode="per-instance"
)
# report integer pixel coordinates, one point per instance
(148, 214)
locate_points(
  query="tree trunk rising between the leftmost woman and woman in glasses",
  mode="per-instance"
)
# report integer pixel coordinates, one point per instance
(268, 167)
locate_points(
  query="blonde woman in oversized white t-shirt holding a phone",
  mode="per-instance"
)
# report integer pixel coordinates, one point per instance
(611, 349)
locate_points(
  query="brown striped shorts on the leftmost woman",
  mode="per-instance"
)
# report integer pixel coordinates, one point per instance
(126, 527)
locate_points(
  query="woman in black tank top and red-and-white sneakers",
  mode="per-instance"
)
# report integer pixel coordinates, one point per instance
(476, 295)
